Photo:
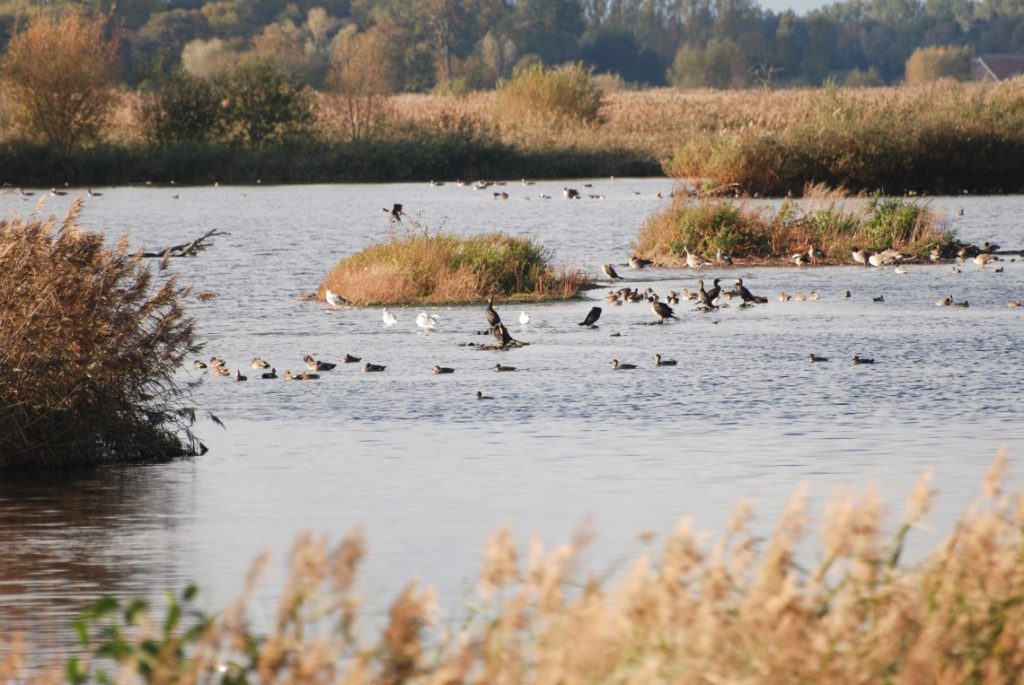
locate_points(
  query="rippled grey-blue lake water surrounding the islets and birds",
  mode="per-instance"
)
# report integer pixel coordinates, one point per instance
(430, 472)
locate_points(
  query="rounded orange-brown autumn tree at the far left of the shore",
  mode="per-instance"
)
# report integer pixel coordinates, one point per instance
(60, 75)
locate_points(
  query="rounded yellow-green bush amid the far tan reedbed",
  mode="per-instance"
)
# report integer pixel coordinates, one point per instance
(565, 96)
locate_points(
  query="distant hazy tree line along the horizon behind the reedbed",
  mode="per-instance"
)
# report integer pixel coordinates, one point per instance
(460, 46)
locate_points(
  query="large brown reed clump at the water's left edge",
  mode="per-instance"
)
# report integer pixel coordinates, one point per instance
(90, 348)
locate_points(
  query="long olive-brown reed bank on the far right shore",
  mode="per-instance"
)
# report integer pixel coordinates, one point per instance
(941, 139)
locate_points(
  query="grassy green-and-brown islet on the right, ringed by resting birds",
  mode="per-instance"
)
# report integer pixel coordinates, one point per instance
(830, 222)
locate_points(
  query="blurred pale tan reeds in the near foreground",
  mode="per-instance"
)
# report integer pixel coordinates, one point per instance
(730, 611)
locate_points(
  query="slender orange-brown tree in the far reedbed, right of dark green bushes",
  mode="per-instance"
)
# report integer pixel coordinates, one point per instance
(363, 74)
